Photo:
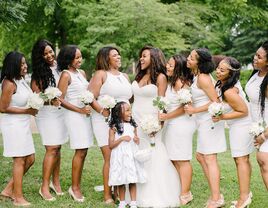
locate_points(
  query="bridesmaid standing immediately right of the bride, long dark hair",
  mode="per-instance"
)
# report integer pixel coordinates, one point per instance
(179, 126)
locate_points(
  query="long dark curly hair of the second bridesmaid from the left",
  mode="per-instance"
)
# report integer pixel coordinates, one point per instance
(42, 73)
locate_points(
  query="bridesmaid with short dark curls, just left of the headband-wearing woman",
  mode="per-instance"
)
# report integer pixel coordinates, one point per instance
(210, 142)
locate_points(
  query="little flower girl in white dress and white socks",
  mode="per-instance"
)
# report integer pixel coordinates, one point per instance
(123, 141)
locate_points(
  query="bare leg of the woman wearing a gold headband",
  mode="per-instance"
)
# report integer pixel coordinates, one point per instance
(243, 173)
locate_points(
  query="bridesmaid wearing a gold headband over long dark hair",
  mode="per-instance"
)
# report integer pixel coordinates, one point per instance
(239, 121)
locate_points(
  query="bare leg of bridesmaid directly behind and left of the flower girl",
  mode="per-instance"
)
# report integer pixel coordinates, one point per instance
(106, 152)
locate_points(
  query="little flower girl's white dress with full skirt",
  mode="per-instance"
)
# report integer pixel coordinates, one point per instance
(124, 168)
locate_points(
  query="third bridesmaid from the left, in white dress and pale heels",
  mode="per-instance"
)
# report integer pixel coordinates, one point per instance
(72, 82)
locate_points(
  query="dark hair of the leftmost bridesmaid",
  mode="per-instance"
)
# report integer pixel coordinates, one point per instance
(12, 66)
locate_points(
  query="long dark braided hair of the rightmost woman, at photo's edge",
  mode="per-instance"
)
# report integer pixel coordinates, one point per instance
(264, 84)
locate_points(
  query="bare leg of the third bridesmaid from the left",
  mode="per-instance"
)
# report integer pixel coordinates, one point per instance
(77, 167)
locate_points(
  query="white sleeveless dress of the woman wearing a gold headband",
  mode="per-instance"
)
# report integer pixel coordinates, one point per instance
(241, 142)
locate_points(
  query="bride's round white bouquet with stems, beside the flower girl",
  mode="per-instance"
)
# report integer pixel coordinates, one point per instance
(150, 126)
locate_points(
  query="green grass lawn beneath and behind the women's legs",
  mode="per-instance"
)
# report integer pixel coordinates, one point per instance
(92, 176)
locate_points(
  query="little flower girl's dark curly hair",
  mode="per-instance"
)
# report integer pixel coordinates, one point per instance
(116, 120)
